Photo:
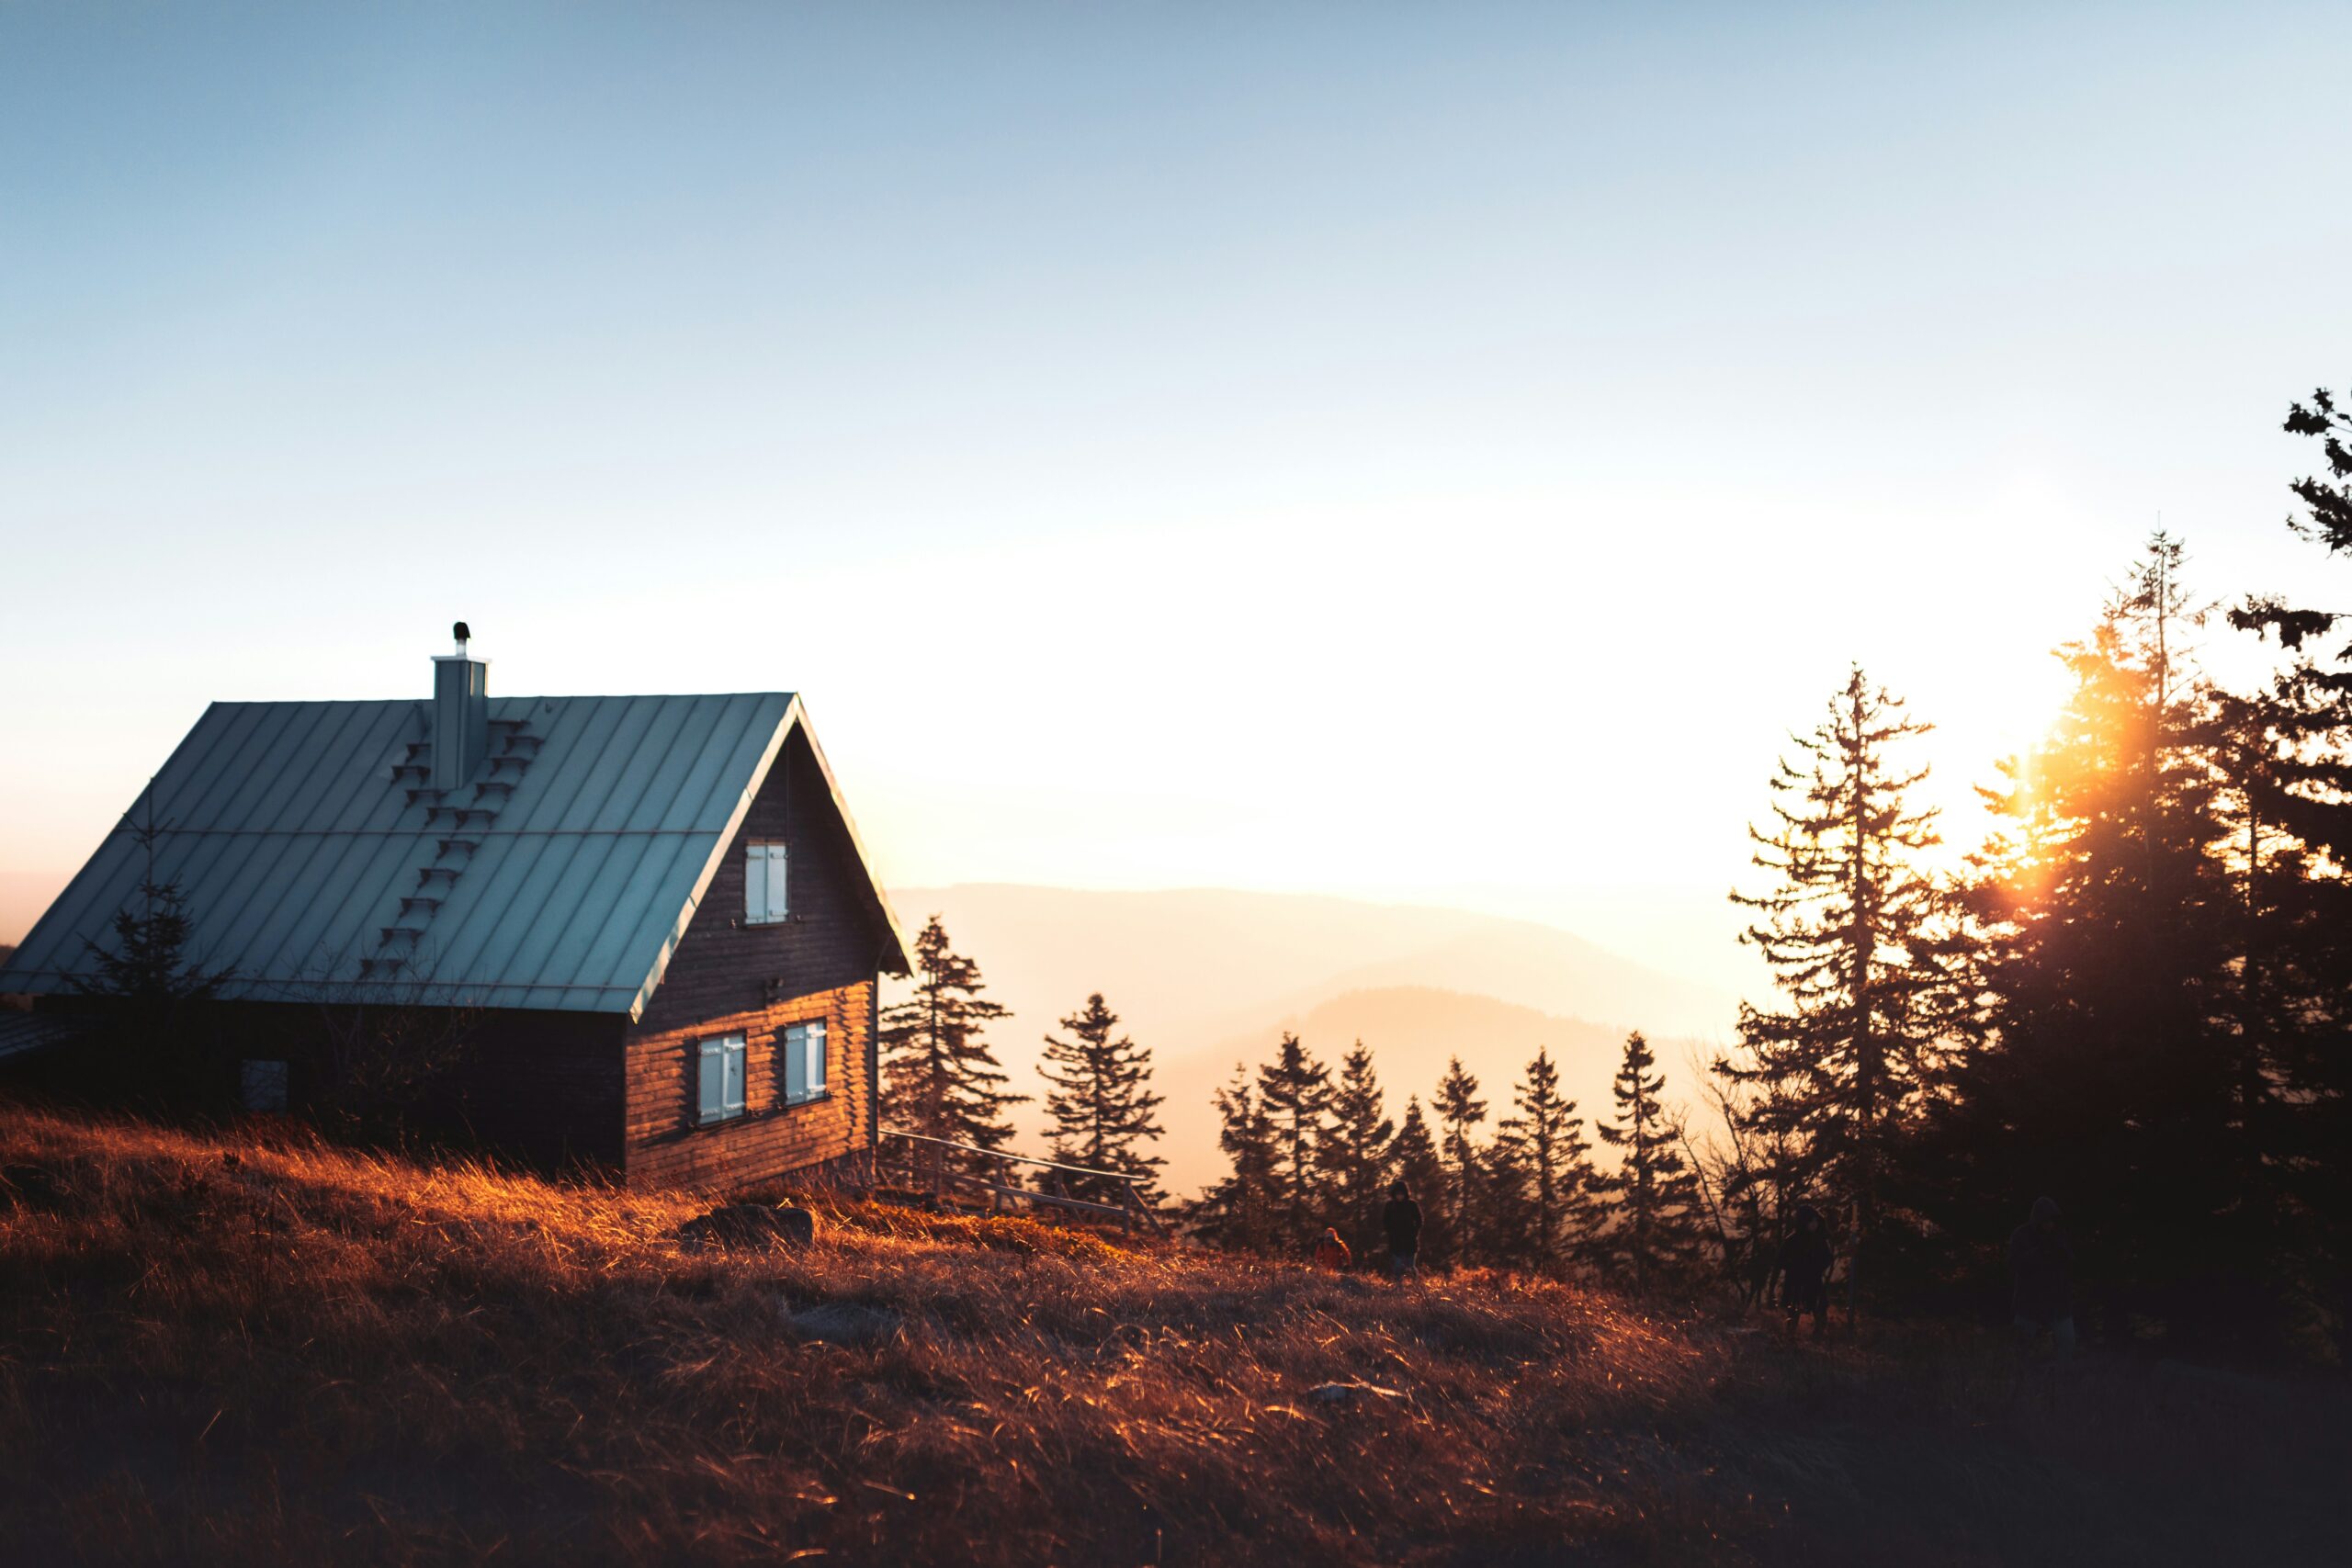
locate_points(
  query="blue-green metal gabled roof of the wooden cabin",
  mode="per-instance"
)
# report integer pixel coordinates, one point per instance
(316, 866)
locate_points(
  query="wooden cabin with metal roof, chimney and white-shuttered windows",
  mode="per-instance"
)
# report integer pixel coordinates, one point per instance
(646, 918)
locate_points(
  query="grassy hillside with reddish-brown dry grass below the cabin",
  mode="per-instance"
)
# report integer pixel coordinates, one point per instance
(241, 1351)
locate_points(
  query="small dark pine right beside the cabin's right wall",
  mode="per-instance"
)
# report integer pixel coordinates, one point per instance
(940, 1076)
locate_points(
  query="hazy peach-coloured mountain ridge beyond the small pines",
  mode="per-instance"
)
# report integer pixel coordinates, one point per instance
(1208, 977)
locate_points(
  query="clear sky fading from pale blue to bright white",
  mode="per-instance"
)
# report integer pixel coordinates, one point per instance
(1370, 450)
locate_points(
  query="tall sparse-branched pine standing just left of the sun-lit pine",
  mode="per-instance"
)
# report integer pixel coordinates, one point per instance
(1859, 939)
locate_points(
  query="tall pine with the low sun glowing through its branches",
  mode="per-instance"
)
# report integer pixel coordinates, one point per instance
(2113, 1061)
